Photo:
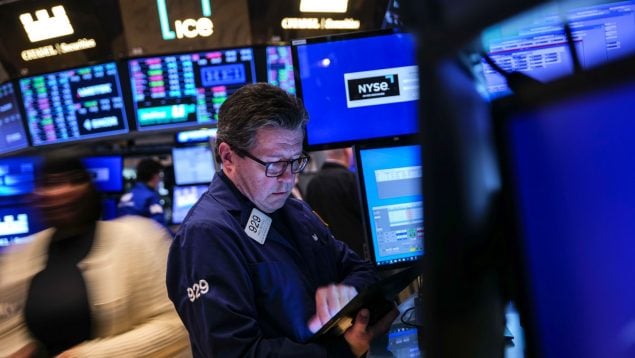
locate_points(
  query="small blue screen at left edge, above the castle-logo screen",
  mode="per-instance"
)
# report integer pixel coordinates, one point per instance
(17, 175)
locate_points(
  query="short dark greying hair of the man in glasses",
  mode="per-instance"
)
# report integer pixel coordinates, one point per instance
(256, 106)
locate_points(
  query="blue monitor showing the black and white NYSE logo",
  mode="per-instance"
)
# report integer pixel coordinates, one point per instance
(357, 87)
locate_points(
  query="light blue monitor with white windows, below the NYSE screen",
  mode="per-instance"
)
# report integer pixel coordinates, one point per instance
(392, 201)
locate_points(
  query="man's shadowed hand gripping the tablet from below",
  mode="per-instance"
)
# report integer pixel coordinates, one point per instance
(360, 335)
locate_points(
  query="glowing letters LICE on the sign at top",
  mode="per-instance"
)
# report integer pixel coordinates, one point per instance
(186, 28)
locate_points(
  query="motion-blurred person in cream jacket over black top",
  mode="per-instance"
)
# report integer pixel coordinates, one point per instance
(85, 287)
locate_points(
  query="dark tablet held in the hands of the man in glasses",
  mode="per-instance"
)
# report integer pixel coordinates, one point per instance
(377, 298)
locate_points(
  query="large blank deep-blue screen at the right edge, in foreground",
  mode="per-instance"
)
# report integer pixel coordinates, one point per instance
(573, 174)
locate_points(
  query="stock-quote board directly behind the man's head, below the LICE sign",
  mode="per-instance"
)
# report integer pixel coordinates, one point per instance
(182, 90)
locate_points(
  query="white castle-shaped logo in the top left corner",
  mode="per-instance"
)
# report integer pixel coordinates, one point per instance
(47, 27)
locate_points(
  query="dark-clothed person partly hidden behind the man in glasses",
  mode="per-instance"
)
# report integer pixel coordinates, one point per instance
(332, 193)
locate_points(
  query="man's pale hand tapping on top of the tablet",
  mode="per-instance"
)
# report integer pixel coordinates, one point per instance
(328, 301)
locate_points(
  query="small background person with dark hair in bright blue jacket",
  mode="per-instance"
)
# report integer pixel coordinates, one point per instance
(143, 199)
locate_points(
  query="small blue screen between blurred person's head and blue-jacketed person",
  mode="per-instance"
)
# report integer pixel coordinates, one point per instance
(107, 172)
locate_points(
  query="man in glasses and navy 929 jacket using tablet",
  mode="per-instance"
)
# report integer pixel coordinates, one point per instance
(253, 272)
